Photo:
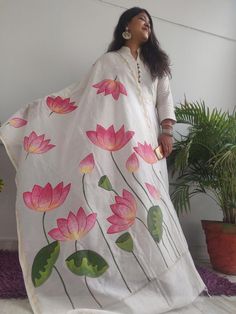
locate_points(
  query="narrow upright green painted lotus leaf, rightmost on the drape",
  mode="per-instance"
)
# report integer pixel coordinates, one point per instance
(154, 222)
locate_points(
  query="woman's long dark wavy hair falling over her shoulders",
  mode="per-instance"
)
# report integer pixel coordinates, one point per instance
(151, 53)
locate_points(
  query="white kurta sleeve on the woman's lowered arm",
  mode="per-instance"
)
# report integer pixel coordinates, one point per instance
(165, 104)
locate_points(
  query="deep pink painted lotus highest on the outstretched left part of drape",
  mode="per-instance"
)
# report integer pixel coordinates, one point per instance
(60, 105)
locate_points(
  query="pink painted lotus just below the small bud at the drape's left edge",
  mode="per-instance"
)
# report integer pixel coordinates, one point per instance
(35, 144)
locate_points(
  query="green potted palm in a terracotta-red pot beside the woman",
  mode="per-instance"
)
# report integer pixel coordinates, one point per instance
(204, 160)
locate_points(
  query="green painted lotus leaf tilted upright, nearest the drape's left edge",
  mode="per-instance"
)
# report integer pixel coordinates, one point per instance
(44, 262)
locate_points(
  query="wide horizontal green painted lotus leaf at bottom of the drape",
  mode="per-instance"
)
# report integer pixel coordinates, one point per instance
(87, 263)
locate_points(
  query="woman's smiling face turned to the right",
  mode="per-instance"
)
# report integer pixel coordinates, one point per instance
(139, 27)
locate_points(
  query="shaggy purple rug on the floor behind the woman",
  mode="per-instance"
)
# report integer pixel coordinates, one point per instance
(12, 284)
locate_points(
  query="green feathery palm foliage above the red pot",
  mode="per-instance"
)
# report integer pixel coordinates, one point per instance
(205, 159)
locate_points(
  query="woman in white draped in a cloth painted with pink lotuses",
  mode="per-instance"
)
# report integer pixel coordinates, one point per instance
(96, 226)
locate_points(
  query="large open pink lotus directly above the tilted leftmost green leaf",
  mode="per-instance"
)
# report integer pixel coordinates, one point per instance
(46, 198)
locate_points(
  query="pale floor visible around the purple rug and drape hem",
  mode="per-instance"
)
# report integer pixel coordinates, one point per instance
(202, 305)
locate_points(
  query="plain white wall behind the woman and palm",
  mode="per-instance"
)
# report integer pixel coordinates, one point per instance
(48, 44)
